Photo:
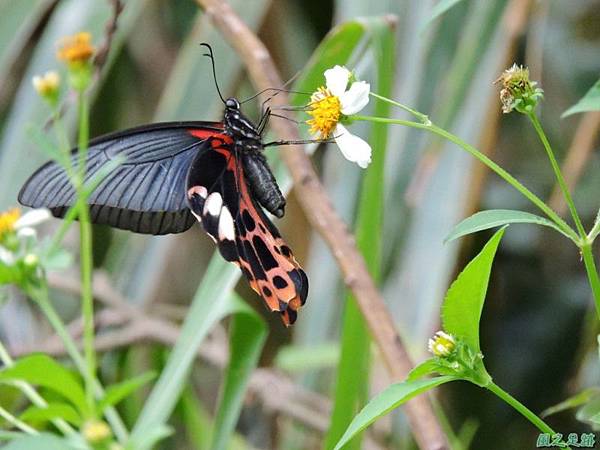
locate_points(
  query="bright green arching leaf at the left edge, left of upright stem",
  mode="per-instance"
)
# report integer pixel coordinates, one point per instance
(44, 371)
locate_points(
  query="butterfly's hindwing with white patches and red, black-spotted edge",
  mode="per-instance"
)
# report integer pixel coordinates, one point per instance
(244, 234)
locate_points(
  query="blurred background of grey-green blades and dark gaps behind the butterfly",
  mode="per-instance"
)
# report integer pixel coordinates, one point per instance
(538, 328)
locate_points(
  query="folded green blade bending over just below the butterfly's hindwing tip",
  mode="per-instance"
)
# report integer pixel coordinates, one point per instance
(247, 336)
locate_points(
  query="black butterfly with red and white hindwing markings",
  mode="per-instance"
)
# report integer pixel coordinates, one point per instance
(175, 174)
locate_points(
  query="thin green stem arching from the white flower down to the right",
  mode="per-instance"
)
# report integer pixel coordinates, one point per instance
(489, 163)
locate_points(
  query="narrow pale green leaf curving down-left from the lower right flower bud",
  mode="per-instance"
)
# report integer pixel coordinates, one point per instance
(386, 401)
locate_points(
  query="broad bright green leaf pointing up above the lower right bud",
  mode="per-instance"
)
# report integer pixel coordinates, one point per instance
(464, 300)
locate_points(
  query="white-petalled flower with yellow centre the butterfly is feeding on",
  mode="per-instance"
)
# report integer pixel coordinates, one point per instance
(332, 103)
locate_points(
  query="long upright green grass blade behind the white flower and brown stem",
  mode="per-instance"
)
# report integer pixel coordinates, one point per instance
(353, 370)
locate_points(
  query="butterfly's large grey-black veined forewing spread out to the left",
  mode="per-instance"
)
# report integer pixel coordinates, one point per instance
(145, 194)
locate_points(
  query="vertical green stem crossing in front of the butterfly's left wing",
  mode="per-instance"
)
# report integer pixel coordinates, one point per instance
(85, 232)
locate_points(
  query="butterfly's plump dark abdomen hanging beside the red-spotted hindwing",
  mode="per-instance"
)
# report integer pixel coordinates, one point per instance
(263, 184)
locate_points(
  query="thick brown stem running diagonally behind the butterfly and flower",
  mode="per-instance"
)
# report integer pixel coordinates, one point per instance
(325, 220)
